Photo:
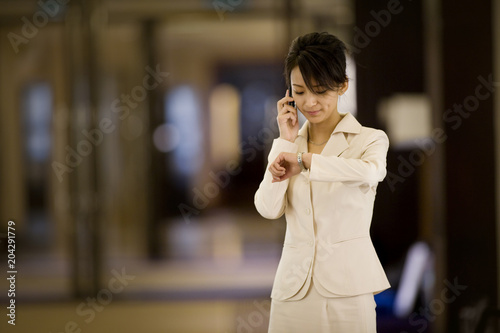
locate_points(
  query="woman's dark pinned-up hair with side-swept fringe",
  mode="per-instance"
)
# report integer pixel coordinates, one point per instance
(320, 57)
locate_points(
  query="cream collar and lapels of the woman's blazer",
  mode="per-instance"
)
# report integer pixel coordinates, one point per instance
(337, 142)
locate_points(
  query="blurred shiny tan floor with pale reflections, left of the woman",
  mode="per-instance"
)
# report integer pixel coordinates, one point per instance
(139, 297)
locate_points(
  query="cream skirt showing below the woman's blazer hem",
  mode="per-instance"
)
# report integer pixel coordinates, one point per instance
(318, 314)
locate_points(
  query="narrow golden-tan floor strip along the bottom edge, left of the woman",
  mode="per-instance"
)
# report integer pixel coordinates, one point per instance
(155, 316)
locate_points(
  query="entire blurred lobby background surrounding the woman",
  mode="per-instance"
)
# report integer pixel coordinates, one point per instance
(134, 134)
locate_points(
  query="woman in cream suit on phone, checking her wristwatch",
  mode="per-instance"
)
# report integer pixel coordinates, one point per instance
(323, 177)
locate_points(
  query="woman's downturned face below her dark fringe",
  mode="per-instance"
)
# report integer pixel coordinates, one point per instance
(315, 106)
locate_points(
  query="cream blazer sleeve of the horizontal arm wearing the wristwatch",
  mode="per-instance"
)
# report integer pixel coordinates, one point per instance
(369, 169)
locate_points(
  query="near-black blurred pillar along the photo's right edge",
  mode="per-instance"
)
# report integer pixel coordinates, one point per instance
(469, 168)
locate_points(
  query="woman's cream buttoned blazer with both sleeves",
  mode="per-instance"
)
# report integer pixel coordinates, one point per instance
(328, 211)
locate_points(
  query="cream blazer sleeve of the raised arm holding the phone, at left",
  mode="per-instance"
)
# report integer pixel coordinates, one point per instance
(270, 198)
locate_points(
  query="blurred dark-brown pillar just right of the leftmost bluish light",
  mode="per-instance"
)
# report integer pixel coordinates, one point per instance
(83, 24)
